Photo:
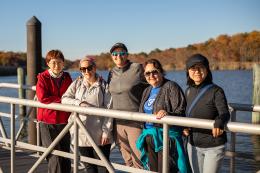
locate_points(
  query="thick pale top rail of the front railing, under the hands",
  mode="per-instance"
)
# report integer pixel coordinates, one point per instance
(170, 120)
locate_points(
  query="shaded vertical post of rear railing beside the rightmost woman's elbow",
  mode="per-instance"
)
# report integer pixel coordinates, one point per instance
(233, 142)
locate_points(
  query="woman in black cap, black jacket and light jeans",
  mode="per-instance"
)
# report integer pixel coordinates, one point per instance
(205, 100)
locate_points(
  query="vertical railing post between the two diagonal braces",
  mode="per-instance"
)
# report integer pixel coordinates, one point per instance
(76, 154)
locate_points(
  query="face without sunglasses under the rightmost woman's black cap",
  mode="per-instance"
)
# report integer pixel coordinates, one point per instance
(198, 73)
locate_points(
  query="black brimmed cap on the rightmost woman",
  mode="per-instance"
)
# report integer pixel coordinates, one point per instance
(197, 59)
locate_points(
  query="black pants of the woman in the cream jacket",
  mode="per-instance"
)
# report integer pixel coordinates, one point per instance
(90, 152)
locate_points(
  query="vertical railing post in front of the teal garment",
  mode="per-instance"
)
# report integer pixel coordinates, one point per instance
(165, 148)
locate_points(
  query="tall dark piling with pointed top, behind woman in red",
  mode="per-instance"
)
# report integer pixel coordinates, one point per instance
(34, 56)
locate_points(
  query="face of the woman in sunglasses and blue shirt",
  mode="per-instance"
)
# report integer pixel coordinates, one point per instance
(152, 75)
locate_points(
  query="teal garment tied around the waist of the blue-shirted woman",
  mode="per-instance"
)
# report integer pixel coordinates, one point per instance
(157, 135)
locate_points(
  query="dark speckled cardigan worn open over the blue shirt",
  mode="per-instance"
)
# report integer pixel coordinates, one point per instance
(169, 98)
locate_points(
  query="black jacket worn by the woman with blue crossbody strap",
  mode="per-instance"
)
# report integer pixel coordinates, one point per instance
(213, 106)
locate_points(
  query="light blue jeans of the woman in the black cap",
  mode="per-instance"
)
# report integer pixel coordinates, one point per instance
(205, 160)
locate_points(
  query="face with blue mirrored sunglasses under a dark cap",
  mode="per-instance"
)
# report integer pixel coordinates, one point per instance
(119, 56)
